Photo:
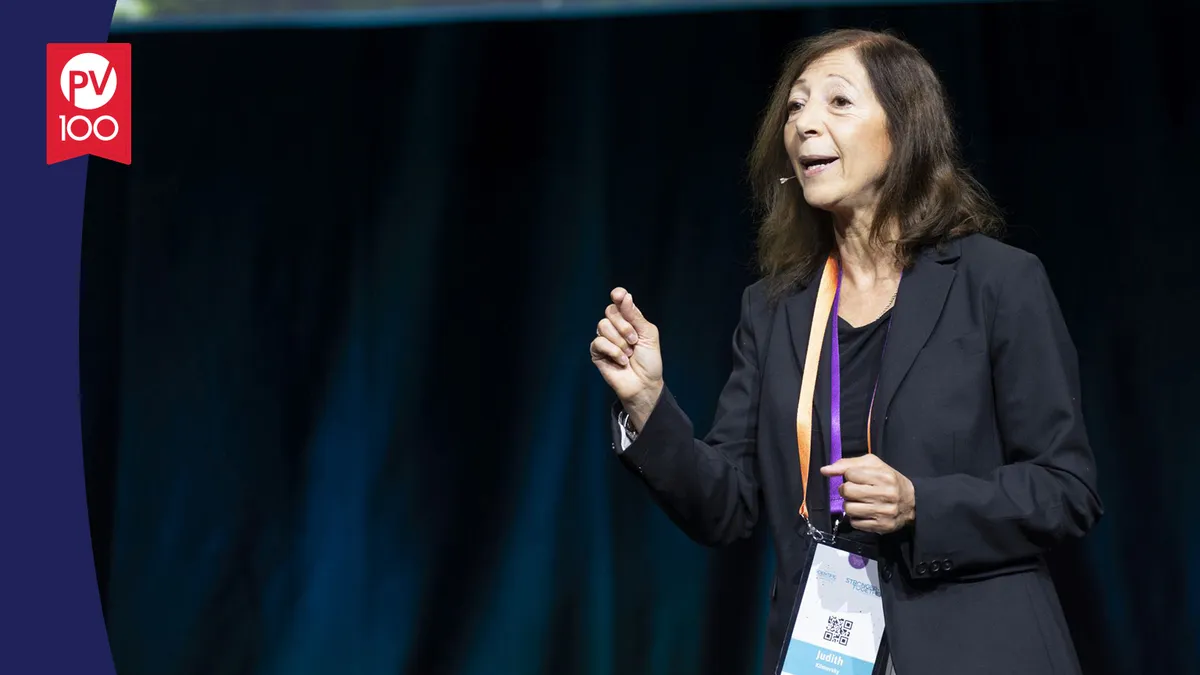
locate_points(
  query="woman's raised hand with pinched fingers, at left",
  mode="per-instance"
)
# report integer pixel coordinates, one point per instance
(626, 351)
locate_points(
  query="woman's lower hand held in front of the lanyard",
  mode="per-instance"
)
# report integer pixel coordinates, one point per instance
(879, 499)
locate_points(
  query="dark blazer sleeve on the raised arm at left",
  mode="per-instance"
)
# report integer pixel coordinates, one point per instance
(707, 487)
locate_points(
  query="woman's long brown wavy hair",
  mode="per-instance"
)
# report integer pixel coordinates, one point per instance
(926, 189)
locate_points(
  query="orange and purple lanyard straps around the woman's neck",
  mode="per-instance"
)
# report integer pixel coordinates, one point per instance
(829, 296)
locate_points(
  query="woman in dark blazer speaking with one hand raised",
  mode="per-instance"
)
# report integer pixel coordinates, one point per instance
(964, 455)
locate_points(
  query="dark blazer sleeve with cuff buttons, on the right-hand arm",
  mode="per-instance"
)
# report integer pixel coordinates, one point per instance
(1047, 492)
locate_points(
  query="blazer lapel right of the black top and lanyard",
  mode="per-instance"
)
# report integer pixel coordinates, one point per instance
(919, 307)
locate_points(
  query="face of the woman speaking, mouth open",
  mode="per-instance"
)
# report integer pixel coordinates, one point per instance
(837, 135)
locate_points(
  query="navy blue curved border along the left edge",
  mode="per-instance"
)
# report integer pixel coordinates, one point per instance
(51, 619)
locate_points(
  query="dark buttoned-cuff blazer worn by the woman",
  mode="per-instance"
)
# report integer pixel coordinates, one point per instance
(979, 404)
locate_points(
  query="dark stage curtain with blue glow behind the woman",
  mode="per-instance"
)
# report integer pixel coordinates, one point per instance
(337, 396)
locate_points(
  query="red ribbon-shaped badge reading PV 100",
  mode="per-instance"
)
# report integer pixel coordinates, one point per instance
(88, 103)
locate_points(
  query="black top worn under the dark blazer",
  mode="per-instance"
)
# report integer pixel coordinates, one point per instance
(862, 351)
